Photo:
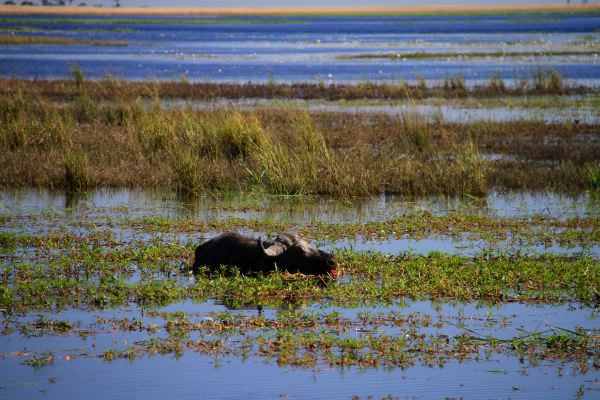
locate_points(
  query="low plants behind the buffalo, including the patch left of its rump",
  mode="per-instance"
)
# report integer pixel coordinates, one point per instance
(97, 246)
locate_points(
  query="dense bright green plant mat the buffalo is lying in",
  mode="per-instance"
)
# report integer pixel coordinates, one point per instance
(373, 277)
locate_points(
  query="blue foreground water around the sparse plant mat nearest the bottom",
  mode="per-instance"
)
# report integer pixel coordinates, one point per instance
(77, 370)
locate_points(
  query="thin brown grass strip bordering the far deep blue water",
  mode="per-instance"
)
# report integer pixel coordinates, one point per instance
(542, 82)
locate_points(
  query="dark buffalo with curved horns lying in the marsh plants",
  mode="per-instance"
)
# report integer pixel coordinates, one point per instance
(288, 252)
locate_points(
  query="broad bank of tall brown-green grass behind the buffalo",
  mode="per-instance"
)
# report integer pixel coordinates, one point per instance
(85, 142)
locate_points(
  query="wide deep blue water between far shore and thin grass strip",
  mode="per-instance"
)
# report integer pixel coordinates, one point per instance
(308, 49)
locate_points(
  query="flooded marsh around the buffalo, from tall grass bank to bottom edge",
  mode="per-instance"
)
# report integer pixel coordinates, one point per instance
(101, 278)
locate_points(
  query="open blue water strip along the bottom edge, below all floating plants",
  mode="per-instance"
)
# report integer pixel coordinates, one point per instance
(193, 376)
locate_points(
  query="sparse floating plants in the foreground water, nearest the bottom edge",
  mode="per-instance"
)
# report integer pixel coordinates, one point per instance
(310, 338)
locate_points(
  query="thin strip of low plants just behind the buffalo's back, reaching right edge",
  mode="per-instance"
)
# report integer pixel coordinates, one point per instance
(530, 230)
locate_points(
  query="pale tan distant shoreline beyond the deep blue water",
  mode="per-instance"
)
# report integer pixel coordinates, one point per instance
(307, 11)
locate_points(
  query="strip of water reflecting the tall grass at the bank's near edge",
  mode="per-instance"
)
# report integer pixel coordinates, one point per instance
(293, 209)
